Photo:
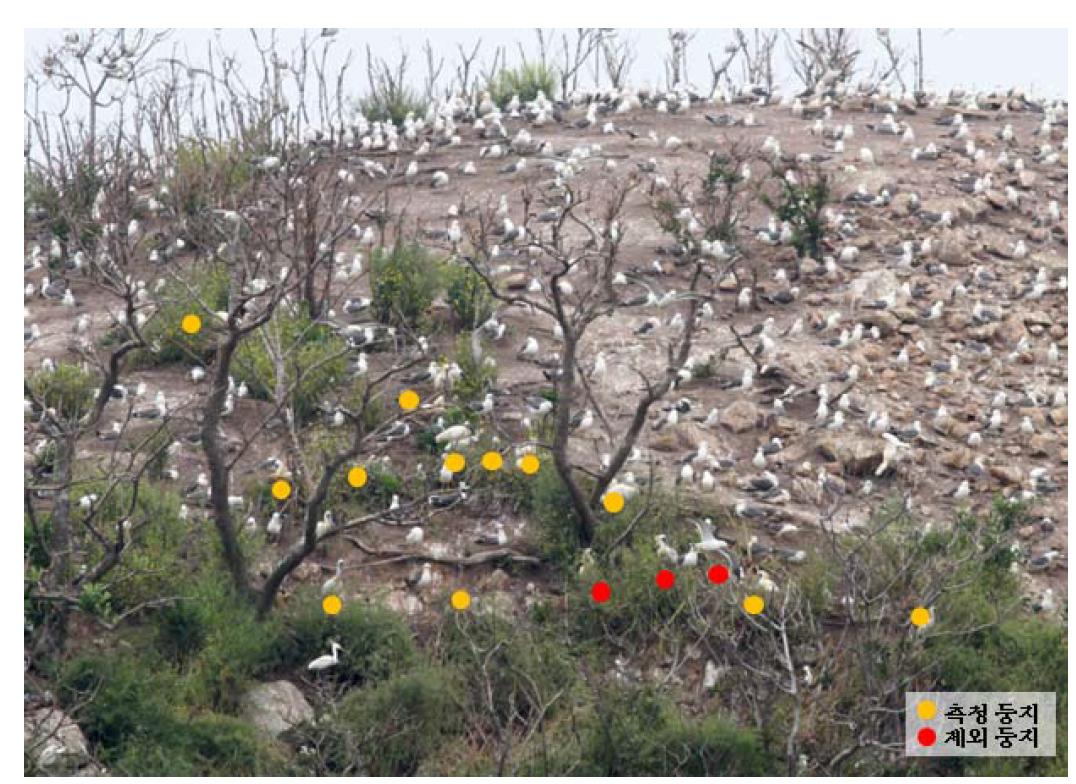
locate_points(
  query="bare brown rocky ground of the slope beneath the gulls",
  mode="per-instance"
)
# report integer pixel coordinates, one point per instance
(997, 264)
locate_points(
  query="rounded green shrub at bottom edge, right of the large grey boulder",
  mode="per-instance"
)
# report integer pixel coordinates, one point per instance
(392, 728)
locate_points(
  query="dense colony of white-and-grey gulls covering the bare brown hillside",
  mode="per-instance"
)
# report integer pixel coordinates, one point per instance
(919, 354)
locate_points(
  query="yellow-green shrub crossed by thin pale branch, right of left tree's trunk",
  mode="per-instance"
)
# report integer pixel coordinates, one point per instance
(315, 362)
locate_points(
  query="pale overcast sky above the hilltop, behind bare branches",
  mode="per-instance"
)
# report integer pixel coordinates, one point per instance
(976, 60)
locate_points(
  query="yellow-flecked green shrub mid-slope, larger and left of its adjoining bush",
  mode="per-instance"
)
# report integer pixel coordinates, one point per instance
(406, 280)
